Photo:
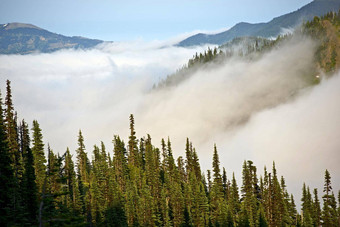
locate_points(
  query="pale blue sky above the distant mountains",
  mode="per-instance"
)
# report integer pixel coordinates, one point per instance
(117, 20)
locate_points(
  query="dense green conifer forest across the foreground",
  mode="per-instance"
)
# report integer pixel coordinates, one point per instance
(141, 185)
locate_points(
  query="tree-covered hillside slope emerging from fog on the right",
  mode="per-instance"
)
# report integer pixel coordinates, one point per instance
(324, 30)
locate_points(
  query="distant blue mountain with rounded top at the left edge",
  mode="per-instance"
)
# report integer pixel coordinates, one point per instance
(19, 38)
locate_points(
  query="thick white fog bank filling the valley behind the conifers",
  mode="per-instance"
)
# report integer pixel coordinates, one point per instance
(259, 110)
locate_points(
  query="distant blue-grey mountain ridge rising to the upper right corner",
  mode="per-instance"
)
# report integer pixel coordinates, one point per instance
(270, 29)
